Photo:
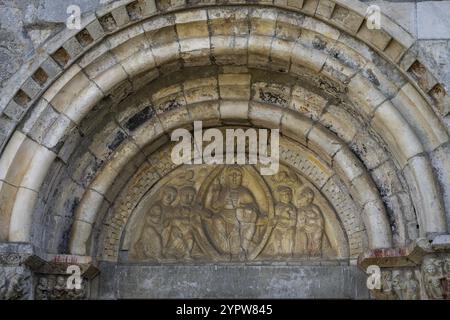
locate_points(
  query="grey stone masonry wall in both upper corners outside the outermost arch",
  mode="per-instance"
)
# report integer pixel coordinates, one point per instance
(25, 25)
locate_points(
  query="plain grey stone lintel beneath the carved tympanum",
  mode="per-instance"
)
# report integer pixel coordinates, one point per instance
(282, 281)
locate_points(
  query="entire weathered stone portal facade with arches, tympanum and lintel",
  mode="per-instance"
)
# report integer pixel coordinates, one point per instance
(86, 174)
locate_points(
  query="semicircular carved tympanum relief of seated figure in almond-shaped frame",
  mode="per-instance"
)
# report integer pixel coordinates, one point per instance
(231, 213)
